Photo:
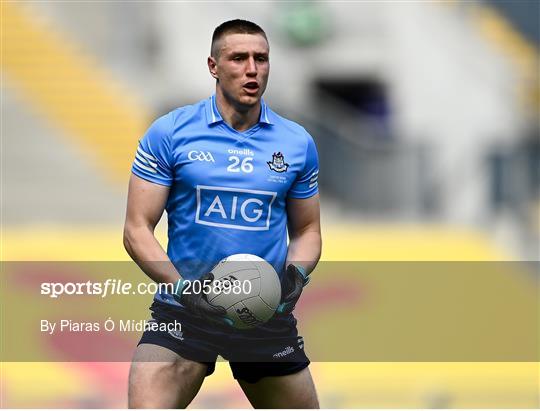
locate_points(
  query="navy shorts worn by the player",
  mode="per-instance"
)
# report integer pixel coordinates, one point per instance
(273, 349)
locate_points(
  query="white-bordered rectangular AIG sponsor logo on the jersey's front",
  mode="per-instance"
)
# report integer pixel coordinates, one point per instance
(234, 208)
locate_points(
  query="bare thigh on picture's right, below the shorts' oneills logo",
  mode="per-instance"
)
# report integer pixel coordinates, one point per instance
(288, 391)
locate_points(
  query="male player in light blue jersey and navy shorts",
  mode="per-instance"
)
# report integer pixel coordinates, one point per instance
(234, 177)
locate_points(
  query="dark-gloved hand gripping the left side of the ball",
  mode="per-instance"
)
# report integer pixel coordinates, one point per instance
(197, 302)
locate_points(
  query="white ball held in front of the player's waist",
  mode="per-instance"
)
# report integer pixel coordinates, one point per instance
(248, 287)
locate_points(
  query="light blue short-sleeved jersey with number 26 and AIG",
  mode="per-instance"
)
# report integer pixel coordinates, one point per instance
(228, 189)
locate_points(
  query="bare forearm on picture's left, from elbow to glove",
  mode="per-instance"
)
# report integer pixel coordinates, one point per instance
(145, 250)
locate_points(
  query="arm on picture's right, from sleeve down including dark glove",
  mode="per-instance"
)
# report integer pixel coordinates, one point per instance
(304, 249)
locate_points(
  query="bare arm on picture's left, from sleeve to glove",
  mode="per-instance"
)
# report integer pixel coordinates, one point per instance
(145, 206)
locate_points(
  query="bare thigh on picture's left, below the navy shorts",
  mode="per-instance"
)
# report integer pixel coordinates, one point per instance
(160, 378)
